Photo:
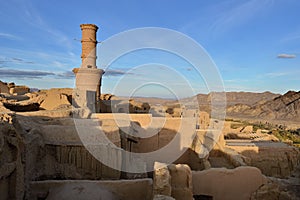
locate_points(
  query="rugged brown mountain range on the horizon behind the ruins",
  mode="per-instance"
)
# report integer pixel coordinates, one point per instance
(249, 105)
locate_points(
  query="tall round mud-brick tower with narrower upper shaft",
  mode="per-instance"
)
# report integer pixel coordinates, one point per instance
(88, 77)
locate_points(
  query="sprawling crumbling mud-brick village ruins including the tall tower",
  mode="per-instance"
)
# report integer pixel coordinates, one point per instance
(43, 155)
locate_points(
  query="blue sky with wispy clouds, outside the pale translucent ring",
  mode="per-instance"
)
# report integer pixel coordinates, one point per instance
(255, 44)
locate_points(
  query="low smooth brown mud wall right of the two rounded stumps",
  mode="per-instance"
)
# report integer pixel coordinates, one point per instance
(227, 184)
